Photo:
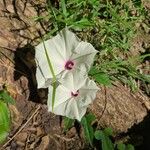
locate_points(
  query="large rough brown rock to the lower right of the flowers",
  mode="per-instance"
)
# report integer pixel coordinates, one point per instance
(117, 107)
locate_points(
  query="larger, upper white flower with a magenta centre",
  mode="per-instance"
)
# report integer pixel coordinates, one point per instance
(66, 52)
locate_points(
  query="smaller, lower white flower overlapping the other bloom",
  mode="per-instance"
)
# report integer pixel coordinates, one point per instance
(73, 96)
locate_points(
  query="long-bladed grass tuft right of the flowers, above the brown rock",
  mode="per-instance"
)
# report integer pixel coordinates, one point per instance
(118, 69)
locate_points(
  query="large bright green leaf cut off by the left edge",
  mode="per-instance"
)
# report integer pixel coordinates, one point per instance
(4, 121)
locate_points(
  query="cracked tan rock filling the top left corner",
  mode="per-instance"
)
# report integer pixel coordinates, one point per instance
(17, 26)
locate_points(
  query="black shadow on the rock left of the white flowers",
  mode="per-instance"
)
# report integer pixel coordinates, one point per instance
(25, 66)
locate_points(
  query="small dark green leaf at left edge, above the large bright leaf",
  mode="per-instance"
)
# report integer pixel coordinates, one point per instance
(4, 95)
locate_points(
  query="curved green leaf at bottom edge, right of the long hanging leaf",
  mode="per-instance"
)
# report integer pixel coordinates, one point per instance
(106, 141)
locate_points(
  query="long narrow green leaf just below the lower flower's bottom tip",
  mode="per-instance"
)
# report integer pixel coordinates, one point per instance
(88, 129)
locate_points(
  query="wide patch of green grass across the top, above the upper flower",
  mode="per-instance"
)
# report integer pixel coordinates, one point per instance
(113, 22)
